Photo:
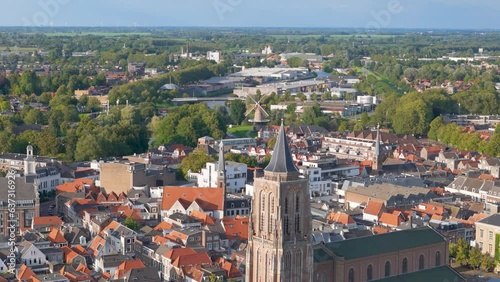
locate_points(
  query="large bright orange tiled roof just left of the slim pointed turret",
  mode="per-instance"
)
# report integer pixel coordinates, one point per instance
(207, 198)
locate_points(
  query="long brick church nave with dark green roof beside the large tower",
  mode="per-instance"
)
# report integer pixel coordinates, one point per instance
(396, 254)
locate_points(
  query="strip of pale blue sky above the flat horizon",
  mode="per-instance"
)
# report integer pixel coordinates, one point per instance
(456, 14)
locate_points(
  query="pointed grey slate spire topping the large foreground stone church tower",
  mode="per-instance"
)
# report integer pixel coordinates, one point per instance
(281, 160)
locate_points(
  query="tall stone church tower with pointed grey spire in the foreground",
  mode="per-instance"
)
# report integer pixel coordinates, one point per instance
(279, 247)
